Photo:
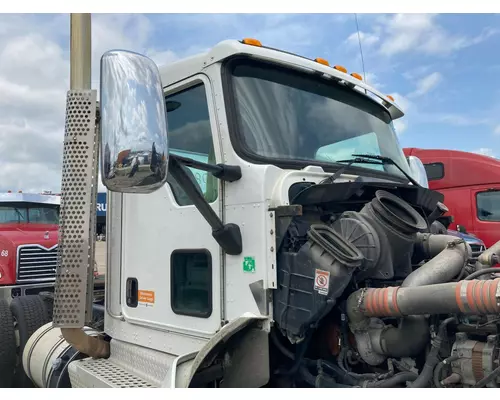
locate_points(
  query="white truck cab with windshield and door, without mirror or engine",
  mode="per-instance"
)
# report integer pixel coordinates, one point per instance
(279, 118)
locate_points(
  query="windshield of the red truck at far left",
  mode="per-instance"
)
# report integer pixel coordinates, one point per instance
(28, 214)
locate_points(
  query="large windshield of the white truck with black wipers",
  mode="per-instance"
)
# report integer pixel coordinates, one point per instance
(284, 116)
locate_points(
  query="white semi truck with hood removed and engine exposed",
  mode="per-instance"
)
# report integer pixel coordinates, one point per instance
(298, 253)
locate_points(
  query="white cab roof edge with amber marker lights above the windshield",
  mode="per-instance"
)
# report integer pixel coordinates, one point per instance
(190, 66)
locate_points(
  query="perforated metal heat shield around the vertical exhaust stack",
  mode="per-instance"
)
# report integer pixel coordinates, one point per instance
(74, 279)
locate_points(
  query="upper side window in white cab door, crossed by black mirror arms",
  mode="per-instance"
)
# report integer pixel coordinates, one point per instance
(190, 136)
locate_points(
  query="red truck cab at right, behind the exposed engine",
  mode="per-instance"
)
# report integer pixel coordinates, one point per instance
(470, 183)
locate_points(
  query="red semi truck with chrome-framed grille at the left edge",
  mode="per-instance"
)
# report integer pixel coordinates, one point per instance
(29, 228)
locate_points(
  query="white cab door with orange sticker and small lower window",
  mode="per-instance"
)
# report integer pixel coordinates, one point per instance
(172, 264)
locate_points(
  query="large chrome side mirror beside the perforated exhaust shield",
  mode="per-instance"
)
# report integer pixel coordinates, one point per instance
(133, 124)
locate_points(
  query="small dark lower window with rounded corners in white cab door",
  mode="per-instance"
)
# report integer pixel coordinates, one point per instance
(191, 283)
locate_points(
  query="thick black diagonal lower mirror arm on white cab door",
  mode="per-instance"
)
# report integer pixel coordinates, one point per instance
(228, 236)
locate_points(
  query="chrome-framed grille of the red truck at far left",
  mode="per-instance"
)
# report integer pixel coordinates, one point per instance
(36, 263)
